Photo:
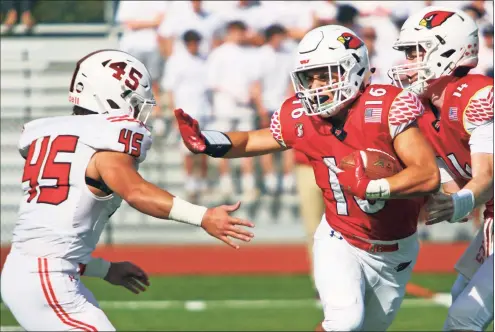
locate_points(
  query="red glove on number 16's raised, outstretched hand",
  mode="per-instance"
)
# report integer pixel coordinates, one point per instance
(190, 132)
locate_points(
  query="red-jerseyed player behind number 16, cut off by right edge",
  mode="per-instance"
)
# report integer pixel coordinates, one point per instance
(441, 45)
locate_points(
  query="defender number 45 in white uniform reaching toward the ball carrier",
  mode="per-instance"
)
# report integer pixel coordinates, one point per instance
(78, 169)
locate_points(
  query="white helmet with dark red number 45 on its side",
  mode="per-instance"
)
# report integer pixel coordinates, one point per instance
(107, 81)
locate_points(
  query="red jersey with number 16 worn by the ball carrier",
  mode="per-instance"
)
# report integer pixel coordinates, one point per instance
(380, 114)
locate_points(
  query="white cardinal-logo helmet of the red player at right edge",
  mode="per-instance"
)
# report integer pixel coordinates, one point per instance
(448, 38)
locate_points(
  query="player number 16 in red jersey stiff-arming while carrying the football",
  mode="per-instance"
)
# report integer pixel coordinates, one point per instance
(366, 245)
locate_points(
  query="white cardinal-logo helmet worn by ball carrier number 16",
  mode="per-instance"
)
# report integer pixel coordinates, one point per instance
(339, 51)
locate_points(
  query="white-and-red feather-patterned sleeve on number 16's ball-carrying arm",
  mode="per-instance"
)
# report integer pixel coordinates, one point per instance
(404, 111)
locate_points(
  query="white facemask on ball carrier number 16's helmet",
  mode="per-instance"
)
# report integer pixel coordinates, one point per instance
(329, 99)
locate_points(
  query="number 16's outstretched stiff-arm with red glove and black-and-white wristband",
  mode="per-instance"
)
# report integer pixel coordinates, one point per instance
(225, 145)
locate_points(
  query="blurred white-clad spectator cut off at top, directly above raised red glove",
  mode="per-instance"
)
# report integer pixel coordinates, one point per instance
(184, 16)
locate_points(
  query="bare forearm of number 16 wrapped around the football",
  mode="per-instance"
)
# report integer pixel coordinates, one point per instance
(414, 181)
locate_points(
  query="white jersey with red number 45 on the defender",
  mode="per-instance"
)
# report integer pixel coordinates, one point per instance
(59, 217)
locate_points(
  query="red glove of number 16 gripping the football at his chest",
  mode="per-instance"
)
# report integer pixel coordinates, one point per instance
(353, 181)
